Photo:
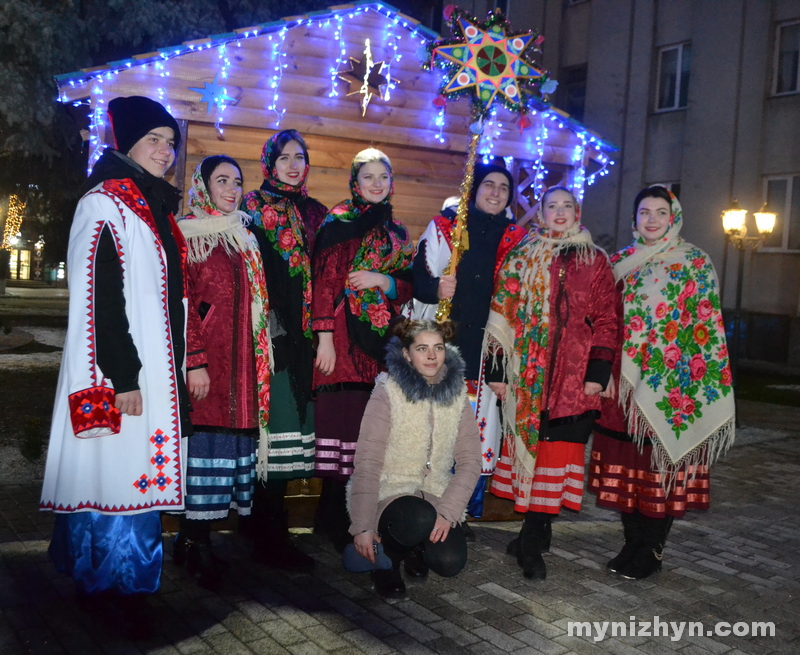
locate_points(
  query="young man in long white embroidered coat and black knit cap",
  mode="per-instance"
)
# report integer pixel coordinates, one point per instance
(114, 459)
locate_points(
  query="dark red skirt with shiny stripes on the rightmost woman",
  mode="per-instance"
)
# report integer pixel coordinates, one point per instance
(624, 479)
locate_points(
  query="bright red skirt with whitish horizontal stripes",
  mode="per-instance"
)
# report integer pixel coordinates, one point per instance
(557, 479)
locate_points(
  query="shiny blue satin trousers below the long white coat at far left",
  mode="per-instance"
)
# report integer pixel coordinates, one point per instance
(121, 554)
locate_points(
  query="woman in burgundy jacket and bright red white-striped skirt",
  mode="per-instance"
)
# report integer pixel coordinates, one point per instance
(554, 319)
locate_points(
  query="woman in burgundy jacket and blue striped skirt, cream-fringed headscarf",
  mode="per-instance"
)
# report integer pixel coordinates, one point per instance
(228, 360)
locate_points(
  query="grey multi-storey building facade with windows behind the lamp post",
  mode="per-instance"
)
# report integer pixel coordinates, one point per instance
(703, 95)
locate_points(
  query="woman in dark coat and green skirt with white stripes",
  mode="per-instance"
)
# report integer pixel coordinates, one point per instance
(285, 220)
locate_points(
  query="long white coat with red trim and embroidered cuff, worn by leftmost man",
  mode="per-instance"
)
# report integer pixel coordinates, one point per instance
(98, 460)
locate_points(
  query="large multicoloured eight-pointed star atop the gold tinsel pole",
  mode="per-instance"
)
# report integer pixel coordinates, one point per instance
(488, 61)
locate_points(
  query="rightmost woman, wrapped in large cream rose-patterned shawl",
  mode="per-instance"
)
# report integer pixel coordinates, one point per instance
(652, 450)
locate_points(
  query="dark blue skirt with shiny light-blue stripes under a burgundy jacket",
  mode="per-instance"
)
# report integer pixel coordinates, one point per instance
(220, 475)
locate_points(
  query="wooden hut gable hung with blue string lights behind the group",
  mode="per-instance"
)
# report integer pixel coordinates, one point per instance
(231, 91)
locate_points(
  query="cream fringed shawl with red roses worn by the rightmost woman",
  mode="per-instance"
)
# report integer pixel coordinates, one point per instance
(676, 376)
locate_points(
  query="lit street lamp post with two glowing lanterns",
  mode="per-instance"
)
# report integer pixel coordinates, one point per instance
(734, 222)
